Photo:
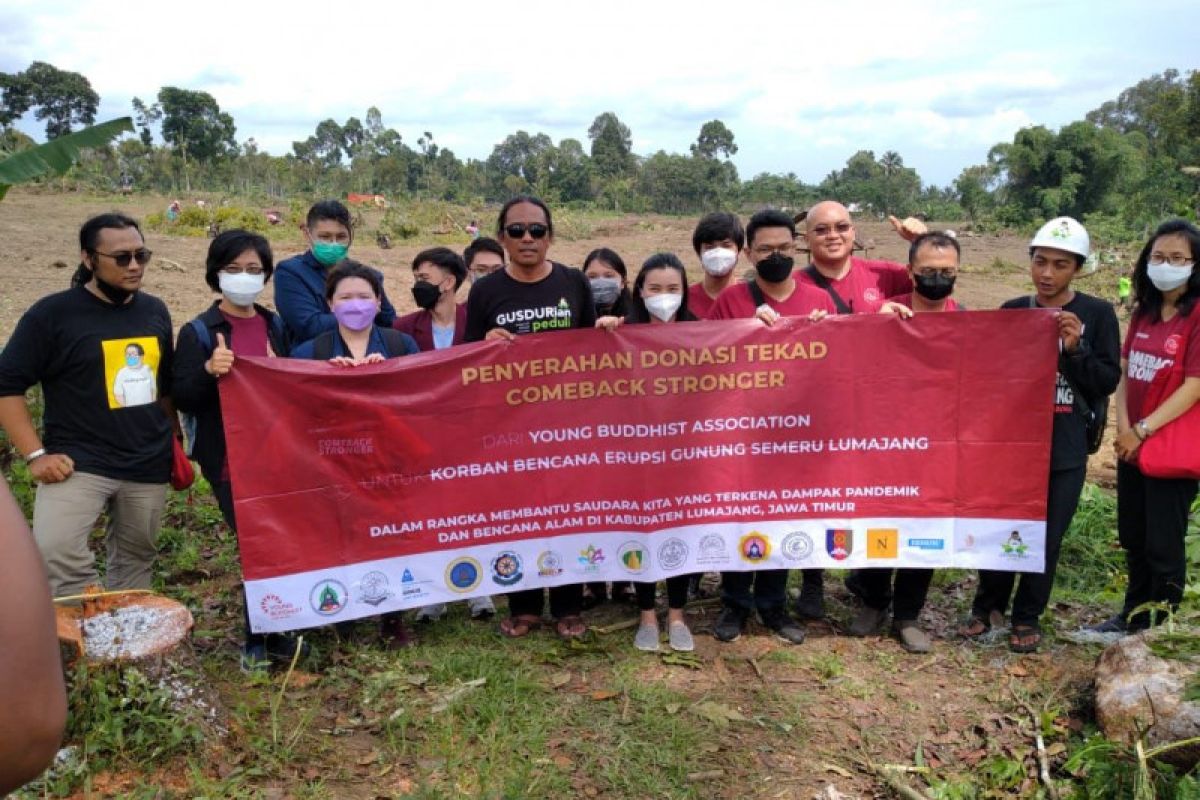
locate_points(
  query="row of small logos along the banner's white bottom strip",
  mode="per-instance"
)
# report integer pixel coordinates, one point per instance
(466, 575)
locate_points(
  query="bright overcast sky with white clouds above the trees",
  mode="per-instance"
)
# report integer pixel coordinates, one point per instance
(802, 86)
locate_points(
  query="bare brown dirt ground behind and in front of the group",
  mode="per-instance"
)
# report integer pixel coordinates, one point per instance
(821, 707)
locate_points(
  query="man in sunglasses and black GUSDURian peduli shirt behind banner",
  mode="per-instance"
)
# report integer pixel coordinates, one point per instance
(532, 294)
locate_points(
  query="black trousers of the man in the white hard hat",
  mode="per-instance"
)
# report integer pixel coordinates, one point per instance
(1034, 588)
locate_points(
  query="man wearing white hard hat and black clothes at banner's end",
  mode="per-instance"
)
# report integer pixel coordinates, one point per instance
(1089, 371)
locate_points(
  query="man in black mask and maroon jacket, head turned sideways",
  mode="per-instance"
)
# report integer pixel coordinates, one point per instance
(441, 321)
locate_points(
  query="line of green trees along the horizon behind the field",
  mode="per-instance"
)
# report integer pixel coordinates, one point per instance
(1129, 164)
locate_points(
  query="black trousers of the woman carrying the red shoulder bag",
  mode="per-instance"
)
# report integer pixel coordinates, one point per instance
(1153, 521)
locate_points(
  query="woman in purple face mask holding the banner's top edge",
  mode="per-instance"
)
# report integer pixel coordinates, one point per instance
(355, 294)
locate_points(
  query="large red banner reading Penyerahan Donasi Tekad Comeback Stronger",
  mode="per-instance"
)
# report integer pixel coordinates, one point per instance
(655, 450)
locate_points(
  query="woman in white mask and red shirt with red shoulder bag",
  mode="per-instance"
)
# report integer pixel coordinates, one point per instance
(1157, 423)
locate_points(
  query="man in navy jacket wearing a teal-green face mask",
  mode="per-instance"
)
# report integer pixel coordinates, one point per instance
(301, 280)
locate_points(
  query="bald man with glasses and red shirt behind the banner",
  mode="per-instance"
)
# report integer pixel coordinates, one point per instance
(856, 286)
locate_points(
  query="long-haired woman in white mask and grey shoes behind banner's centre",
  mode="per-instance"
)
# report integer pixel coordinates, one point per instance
(659, 297)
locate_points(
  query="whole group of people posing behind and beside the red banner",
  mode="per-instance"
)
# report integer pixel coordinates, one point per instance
(107, 438)
